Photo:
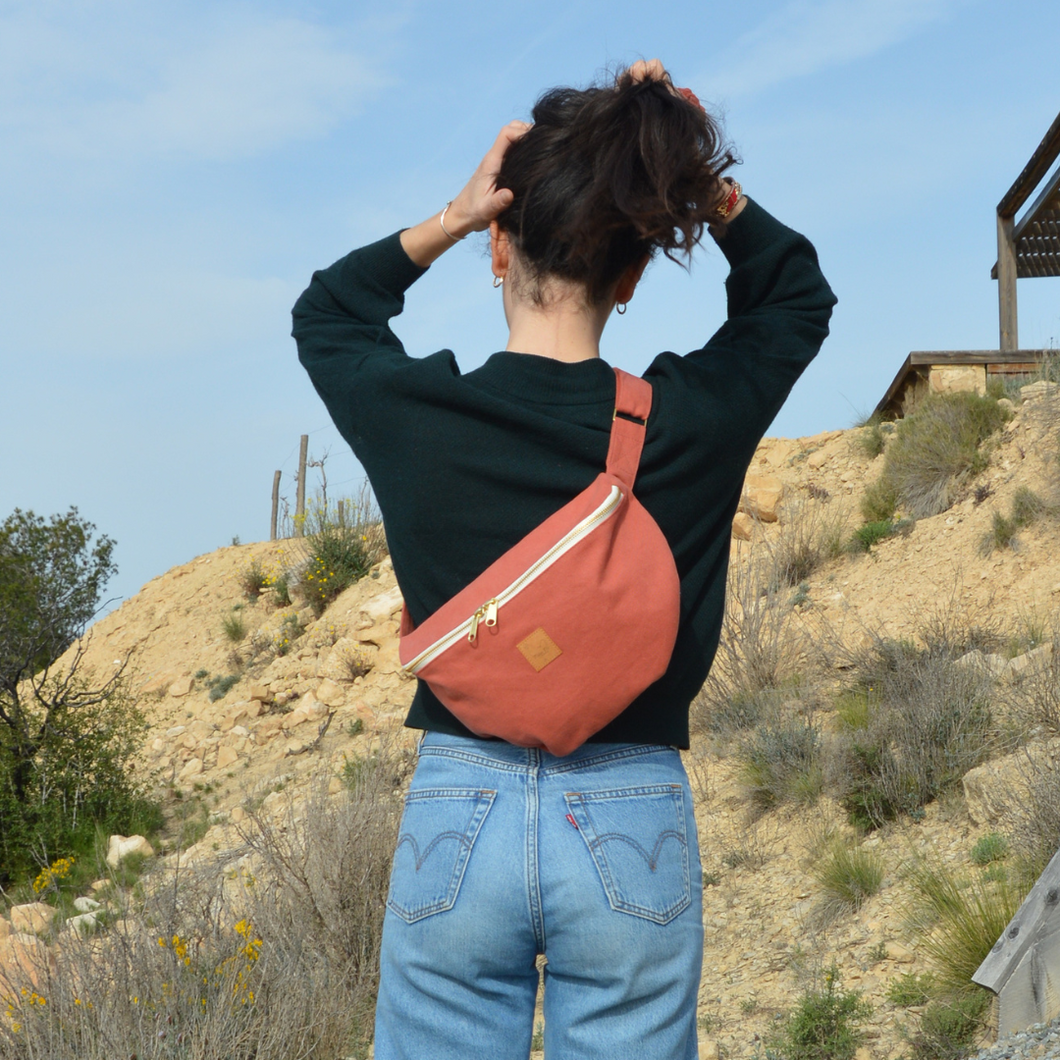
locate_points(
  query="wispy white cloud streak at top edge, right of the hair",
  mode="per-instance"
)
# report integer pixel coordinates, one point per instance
(805, 38)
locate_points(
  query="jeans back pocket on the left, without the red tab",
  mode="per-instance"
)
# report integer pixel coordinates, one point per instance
(438, 831)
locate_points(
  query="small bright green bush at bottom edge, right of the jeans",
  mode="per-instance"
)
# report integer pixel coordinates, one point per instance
(824, 1024)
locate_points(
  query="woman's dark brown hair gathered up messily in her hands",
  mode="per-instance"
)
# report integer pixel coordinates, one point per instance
(608, 176)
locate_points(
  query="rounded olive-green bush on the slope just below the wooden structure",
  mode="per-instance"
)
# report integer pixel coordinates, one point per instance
(934, 451)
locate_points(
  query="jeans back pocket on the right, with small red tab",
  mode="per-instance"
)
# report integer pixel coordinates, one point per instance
(638, 840)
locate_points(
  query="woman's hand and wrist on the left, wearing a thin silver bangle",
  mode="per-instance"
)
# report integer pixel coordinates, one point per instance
(479, 203)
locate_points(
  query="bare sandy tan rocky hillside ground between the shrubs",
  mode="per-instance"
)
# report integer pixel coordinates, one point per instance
(309, 694)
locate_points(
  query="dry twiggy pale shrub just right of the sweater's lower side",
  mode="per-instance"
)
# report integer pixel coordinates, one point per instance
(759, 653)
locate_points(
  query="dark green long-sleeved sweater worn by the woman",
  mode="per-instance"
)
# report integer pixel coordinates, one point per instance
(464, 466)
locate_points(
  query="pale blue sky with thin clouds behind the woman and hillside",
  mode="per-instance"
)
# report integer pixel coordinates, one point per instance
(172, 174)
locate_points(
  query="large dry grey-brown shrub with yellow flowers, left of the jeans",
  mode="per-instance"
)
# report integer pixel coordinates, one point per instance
(275, 962)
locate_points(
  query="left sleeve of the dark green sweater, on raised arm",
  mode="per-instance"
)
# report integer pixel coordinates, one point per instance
(342, 324)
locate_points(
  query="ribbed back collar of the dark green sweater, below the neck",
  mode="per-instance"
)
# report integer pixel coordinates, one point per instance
(545, 381)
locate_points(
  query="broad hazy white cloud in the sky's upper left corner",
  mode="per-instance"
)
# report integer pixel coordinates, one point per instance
(195, 84)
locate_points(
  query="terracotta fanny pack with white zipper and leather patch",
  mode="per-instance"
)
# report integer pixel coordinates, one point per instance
(558, 638)
